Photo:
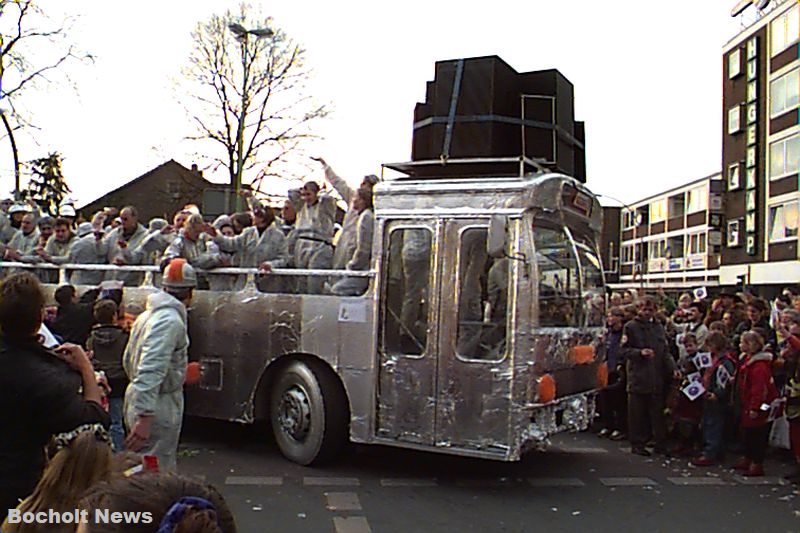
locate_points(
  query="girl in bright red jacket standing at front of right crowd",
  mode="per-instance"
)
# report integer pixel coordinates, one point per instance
(756, 390)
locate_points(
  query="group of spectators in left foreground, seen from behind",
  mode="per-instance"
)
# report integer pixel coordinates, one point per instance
(56, 464)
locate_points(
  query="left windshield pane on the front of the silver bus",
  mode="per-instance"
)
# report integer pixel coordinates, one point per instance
(560, 302)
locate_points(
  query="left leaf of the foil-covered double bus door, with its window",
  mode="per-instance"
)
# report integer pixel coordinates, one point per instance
(406, 403)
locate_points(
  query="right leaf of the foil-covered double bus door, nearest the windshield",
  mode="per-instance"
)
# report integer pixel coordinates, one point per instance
(475, 369)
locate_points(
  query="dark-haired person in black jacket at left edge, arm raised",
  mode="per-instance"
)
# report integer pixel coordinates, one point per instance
(39, 390)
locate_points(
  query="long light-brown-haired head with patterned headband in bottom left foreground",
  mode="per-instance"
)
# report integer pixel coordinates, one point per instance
(80, 459)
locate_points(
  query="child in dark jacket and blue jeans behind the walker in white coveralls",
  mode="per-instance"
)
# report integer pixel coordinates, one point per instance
(108, 340)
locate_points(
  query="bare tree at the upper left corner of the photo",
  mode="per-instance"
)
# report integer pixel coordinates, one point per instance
(32, 47)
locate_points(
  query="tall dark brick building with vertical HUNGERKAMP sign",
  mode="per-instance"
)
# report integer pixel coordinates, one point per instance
(761, 149)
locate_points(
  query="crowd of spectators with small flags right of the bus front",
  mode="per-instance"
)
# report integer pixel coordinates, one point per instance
(704, 376)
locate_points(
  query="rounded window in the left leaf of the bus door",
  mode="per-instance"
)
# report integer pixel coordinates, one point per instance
(408, 267)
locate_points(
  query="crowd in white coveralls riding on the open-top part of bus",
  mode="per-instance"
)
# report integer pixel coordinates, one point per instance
(303, 233)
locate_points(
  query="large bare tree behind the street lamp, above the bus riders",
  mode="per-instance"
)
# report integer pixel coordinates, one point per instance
(249, 94)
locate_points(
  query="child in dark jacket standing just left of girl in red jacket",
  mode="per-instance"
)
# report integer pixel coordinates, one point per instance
(718, 383)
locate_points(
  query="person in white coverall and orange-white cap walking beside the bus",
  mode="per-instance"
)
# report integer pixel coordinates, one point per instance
(155, 361)
